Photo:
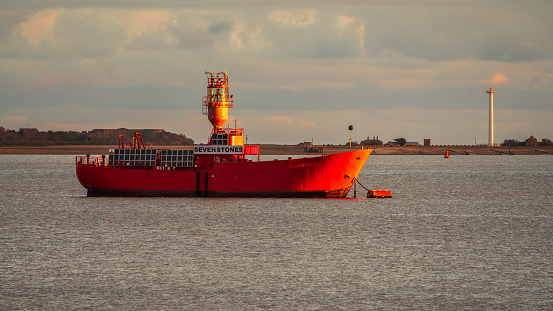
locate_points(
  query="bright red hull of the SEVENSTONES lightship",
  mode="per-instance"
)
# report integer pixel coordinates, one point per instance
(322, 176)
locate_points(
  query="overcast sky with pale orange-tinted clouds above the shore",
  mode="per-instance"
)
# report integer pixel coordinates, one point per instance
(298, 69)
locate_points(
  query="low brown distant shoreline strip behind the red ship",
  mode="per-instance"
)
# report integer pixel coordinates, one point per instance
(270, 149)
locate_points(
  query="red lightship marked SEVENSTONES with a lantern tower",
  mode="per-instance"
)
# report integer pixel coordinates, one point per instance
(218, 169)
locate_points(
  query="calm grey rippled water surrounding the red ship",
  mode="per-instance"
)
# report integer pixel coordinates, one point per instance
(470, 232)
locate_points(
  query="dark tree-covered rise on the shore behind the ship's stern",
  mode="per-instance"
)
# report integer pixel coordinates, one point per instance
(32, 137)
